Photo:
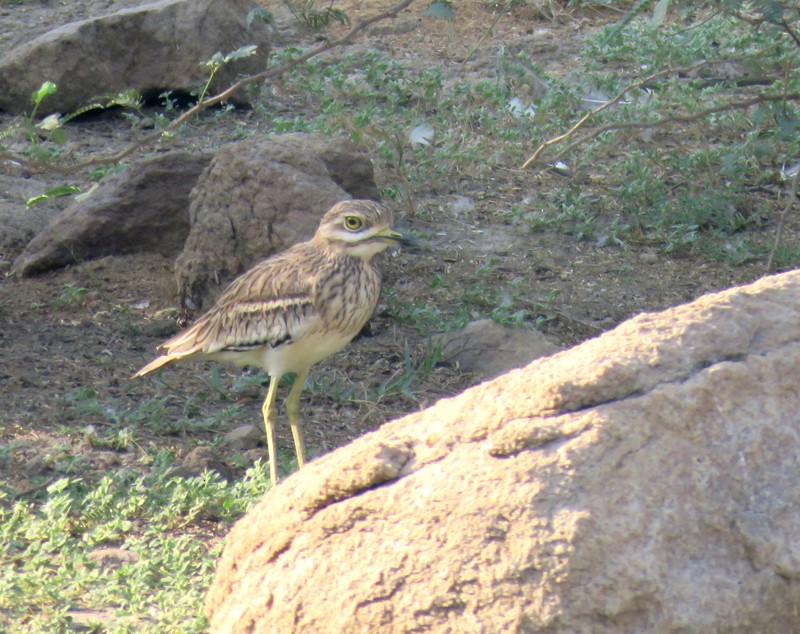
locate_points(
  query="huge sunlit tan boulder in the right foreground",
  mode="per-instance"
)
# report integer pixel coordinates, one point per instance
(644, 481)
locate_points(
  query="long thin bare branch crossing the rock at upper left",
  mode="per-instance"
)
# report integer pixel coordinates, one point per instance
(359, 26)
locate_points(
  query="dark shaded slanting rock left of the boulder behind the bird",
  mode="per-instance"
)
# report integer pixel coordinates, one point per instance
(144, 208)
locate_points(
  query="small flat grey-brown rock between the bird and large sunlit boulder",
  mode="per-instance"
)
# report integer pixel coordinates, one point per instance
(488, 349)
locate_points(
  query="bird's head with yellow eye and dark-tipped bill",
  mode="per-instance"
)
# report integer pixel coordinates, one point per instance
(360, 228)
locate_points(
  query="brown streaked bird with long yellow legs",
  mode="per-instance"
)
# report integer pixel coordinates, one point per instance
(295, 309)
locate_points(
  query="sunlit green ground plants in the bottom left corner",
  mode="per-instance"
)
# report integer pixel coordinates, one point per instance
(167, 526)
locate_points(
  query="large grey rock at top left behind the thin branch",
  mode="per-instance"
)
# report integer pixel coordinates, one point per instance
(161, 48)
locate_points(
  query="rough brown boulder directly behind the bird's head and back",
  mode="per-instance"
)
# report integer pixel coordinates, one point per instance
(260, 196)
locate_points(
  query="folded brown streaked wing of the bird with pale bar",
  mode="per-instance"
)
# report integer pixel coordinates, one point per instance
(270, 304)
